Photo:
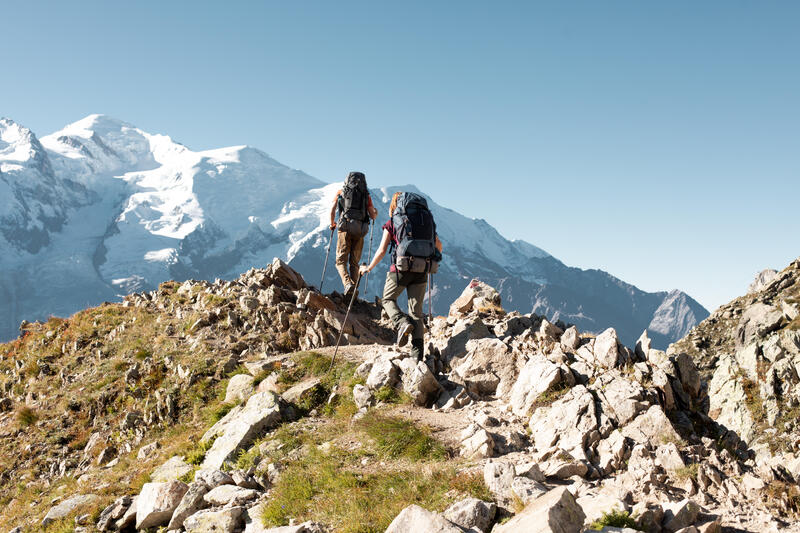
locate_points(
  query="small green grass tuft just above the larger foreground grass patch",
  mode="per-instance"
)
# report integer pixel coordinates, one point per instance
(397, 437)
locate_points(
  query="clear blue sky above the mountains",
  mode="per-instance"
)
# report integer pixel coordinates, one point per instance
(659, 141)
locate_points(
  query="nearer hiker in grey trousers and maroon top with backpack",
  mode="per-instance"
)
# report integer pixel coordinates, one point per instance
(400, 278)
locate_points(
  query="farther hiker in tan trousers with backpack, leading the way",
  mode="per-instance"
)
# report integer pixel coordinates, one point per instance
(355, 211)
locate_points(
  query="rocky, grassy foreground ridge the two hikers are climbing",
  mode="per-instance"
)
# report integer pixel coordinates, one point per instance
(189, 408)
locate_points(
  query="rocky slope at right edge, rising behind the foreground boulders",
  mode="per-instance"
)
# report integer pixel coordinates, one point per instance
(749, 350)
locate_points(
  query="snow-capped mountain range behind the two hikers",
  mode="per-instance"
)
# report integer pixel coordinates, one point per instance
(102, 208)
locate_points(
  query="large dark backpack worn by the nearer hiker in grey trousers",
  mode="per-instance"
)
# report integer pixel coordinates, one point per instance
(415, 230)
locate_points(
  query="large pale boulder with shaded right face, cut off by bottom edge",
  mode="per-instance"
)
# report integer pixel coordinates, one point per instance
(555, 512)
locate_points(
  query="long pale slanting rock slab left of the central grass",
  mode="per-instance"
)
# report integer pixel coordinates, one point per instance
(261, 413)
